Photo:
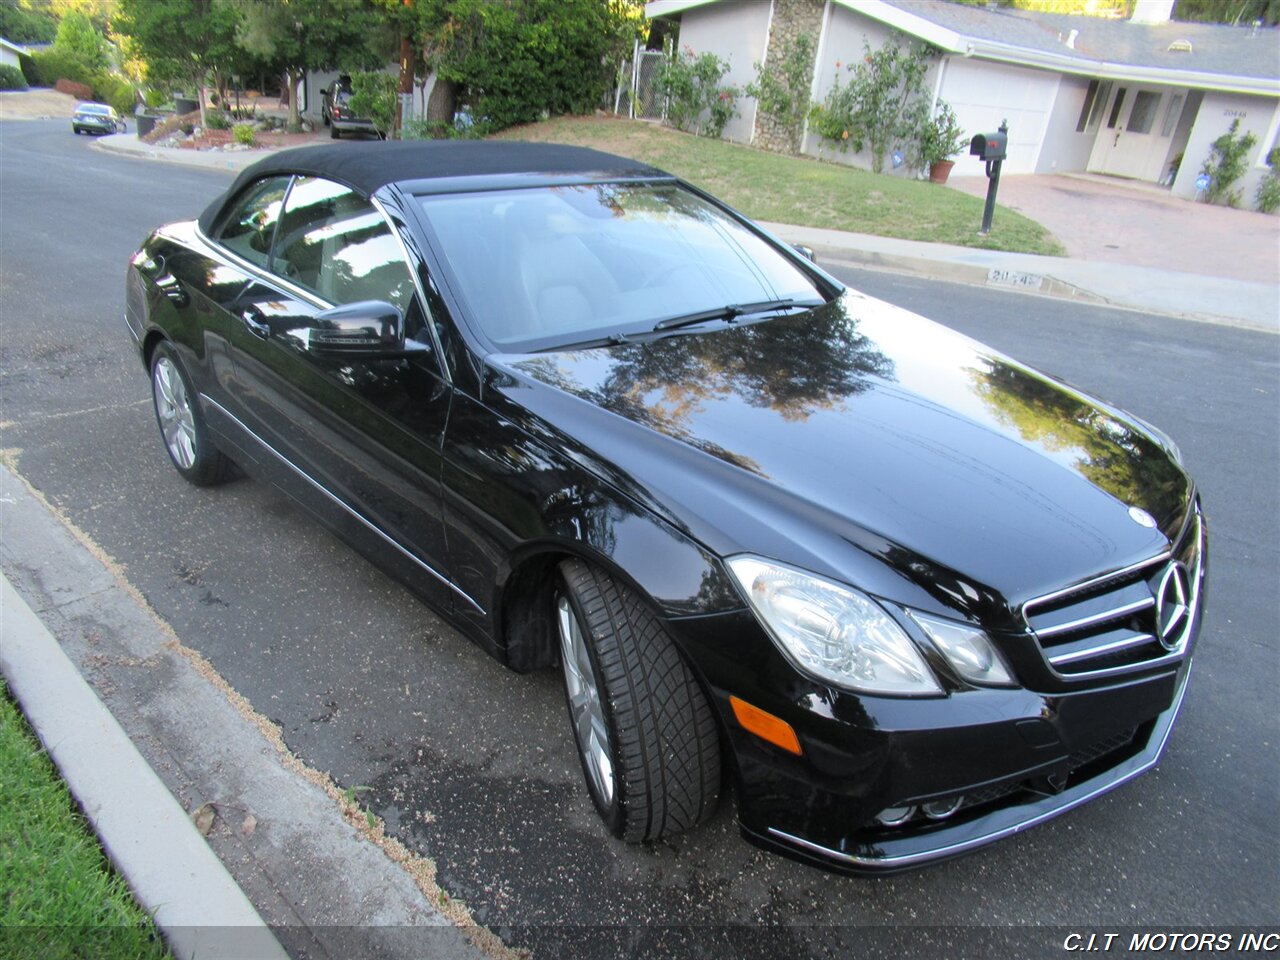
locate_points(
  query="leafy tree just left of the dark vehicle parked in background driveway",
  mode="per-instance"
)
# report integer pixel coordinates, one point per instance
(316, 35)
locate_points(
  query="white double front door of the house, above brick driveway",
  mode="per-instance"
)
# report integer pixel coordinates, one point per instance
(1139, 131)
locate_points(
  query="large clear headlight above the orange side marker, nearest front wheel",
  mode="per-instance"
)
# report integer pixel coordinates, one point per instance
(833, 632)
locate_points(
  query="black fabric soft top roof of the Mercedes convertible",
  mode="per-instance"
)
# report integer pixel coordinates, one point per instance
(367, 167)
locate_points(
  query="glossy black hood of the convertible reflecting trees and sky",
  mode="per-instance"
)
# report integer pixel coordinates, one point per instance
(862, 426)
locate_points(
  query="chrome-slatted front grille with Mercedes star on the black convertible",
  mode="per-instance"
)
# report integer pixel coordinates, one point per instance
(1131, 620)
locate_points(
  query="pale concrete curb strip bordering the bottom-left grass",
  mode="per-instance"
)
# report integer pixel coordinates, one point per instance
(149, 838)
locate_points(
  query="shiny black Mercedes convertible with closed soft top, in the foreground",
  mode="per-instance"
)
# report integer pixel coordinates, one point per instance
(908, 595)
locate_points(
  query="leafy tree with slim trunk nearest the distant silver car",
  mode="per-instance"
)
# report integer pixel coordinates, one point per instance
(181, 42)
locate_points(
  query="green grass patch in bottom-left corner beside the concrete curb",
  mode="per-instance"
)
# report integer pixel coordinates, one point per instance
(60, 897)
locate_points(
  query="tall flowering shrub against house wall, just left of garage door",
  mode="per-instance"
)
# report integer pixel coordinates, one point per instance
(883, 102)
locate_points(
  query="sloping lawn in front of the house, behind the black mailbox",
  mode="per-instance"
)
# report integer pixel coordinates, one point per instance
(802, 191)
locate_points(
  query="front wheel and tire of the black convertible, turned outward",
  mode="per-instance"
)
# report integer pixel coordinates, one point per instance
(646, 734)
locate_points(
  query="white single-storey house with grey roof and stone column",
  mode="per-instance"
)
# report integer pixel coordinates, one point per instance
(1114, 97)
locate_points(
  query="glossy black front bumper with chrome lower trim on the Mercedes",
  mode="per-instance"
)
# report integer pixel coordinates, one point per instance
(1009, 758)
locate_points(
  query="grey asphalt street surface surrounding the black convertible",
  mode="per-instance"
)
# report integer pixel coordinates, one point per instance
(474, 766)
